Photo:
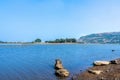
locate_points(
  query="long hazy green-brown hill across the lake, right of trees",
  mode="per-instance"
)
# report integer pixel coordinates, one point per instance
(102, 38)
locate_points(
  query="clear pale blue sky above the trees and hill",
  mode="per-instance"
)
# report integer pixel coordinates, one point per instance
(26, 20)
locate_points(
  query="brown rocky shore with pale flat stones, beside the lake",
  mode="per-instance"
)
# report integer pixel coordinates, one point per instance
(107, 71)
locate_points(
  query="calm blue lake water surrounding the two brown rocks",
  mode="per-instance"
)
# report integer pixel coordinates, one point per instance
(36, 62)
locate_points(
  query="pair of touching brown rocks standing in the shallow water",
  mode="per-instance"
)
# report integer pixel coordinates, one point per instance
(60, 70)
